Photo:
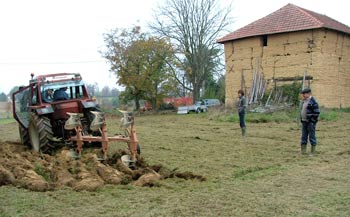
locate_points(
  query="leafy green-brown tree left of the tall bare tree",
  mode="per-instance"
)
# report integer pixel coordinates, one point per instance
(141, 64)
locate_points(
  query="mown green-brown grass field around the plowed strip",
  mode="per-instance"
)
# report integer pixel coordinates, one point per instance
(260, 175)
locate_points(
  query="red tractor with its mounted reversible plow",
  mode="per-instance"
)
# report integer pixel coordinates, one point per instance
(56, 109)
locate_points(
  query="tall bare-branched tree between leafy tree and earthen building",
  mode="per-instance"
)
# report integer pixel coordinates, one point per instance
(193, 26)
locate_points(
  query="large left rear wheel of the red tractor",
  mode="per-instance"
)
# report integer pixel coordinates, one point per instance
(40, 133)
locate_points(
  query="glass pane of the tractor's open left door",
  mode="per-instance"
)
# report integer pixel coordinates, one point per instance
(21, 105)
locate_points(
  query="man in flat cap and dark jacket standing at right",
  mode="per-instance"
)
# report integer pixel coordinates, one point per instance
(309, 117)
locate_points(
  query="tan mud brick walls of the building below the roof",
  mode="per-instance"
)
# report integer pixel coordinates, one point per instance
(323, 54)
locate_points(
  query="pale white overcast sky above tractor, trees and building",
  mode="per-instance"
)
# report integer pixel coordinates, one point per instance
(53, 36)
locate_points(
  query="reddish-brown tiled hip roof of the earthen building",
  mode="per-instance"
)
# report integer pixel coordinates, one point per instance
(289, 18)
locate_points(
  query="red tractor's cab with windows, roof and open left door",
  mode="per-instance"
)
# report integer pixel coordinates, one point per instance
(53, 95)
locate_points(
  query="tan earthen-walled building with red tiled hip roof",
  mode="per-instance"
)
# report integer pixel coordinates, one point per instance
(287, 43)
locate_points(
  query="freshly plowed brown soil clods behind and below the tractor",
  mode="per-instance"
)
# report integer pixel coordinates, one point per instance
(24, 168)
